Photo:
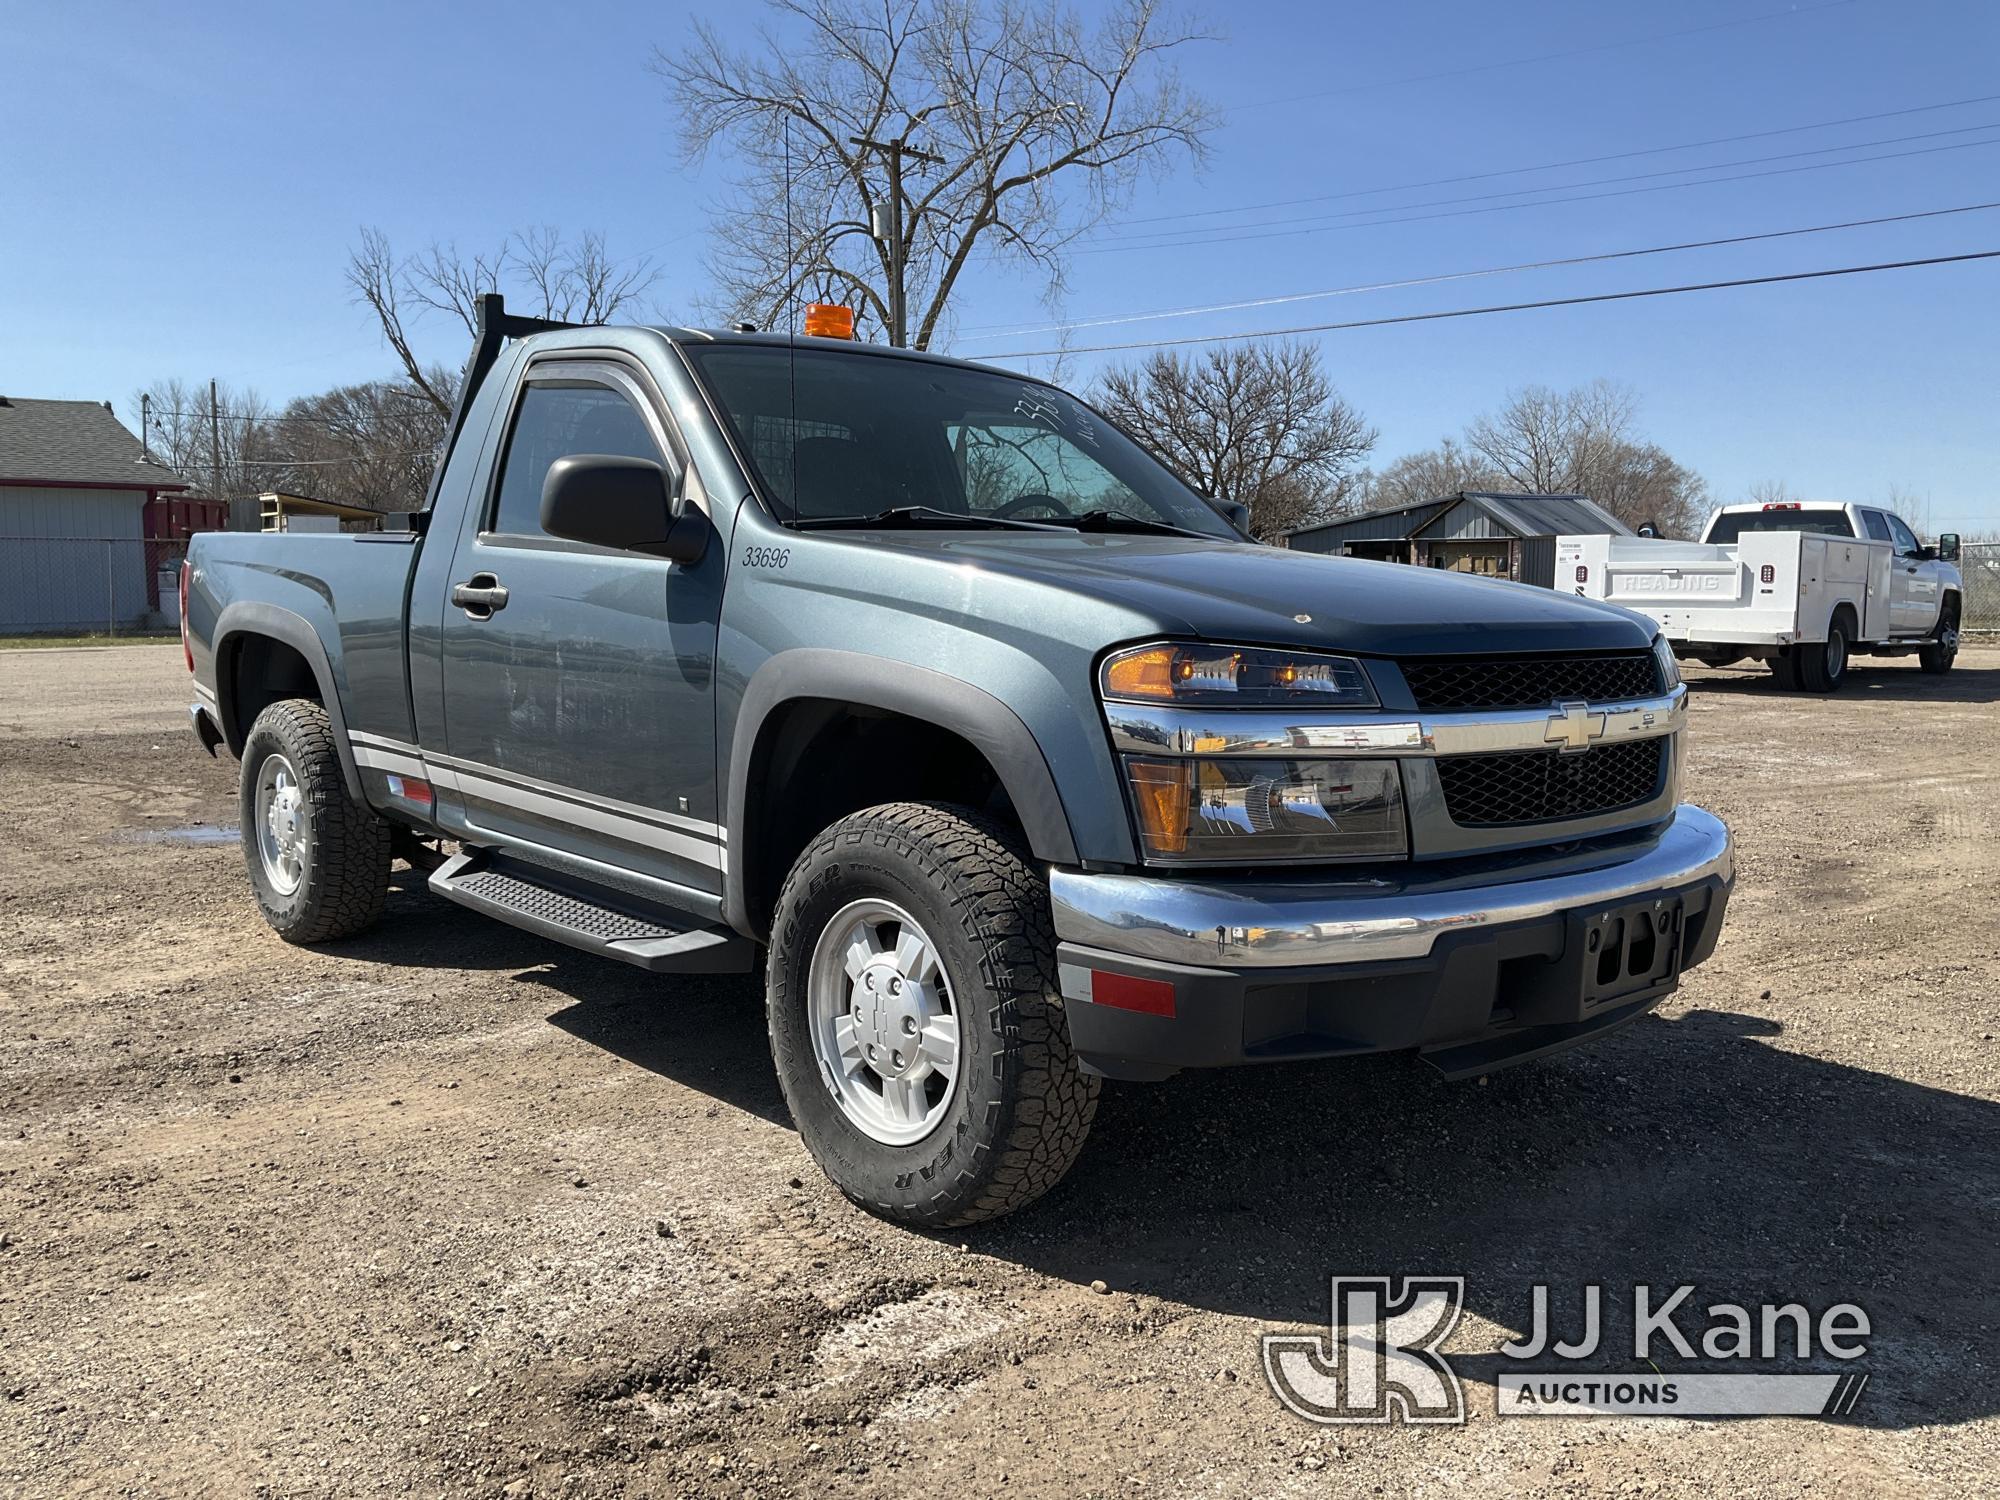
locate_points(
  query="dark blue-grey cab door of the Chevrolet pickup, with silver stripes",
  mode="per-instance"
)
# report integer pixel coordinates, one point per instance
(579, 681)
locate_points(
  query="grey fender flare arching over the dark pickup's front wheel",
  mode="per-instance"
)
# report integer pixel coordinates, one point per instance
(921, 693)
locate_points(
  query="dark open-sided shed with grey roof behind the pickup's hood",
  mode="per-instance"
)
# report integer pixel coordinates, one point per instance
(1475, 531)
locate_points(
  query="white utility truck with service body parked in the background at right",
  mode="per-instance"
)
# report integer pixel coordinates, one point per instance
(1797, 585)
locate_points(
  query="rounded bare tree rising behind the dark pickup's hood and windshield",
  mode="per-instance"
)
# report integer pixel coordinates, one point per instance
(1257, 423)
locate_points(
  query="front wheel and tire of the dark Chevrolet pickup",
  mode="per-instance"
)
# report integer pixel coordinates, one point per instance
(917, 1023)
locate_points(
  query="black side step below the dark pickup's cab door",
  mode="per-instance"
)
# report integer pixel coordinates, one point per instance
(611, 925)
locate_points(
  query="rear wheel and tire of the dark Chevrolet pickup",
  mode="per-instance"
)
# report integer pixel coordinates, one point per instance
(319, 859)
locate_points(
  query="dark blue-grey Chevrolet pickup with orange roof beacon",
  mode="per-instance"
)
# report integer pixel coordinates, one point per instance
(1005, 755)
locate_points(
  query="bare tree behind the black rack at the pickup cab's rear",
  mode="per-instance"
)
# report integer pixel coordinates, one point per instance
(571, 281)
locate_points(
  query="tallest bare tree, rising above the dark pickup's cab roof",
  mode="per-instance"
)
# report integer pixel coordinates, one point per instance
(1005, 127)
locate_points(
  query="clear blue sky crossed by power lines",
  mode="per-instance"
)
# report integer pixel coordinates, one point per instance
(181, 187)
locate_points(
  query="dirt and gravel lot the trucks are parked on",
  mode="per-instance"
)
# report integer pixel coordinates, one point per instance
(455, 1211)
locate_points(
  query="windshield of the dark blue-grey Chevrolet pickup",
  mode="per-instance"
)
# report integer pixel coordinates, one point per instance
(859, 435)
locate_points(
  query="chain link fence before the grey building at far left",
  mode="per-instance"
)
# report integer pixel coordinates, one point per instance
(89, 585)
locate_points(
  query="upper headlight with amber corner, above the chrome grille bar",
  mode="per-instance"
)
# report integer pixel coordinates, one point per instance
(1233, 677)
